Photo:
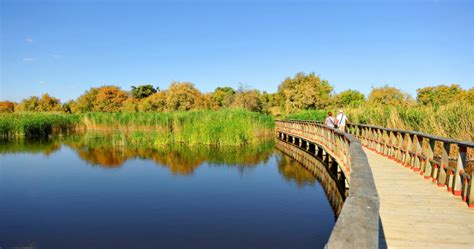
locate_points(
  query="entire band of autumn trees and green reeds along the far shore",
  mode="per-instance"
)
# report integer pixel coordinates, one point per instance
(184, 114)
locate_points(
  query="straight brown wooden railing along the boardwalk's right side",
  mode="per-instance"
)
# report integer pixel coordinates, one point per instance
(447, 162)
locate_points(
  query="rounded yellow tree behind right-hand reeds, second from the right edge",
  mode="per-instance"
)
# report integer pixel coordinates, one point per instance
(387, 95)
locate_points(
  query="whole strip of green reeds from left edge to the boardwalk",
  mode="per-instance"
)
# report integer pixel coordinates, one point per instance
(223, 127)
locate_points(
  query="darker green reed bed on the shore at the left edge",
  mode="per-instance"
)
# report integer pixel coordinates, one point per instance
(36, 124)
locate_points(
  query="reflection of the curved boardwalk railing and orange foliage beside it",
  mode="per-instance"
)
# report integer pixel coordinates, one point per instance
(296, 158)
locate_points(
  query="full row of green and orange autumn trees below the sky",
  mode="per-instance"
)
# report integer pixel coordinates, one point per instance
(300, 92)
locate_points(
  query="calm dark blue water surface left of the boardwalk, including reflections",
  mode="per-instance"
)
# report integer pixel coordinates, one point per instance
(109, 192)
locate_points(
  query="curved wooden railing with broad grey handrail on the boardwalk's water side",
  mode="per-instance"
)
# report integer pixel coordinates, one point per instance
(358, 223)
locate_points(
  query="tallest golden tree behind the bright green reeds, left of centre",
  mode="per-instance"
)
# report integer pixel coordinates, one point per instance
(184, 96)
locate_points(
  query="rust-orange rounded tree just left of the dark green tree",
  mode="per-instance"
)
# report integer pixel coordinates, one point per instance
(109, 99)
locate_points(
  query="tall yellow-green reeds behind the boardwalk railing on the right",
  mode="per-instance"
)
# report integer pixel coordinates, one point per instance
(455, 120)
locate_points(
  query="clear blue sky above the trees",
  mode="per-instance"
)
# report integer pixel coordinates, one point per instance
(66, 47)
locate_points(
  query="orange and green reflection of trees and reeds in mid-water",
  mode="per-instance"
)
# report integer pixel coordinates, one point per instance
(112, 150)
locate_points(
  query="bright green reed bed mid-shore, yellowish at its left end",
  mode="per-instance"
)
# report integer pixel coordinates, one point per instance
(223, 127)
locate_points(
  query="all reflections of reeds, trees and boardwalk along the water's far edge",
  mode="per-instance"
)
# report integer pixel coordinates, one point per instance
(112, 150)
